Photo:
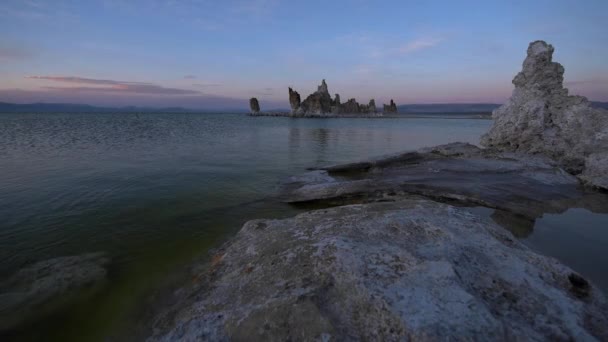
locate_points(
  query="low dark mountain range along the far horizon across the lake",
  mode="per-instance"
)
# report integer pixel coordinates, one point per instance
(80, 108)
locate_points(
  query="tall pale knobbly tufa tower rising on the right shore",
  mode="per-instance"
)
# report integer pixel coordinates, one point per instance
(541, 118)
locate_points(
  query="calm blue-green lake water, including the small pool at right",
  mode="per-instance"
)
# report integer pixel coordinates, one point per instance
(154, 191)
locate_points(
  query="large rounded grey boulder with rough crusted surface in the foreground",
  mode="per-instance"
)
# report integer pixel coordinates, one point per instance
(412, 269)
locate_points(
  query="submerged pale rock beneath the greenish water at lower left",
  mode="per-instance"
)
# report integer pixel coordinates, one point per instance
(53, 281)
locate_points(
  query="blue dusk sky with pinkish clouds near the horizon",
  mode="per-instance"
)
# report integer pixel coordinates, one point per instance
(217, 54)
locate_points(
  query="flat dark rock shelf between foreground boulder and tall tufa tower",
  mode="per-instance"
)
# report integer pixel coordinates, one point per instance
(516, 185)
